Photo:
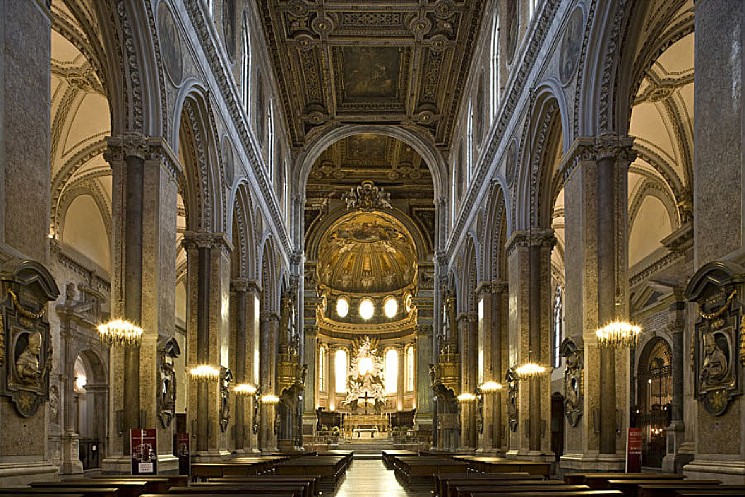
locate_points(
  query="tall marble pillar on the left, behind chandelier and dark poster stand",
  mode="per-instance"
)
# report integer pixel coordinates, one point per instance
(144, 214)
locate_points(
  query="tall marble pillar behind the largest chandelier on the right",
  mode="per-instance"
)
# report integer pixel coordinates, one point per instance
(596, 294)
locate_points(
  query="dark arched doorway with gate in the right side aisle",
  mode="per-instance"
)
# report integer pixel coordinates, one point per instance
(654, 397)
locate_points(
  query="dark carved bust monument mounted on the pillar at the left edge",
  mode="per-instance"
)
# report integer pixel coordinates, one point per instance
(25, 345)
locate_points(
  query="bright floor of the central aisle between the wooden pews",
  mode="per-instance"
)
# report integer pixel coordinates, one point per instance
(369, 478)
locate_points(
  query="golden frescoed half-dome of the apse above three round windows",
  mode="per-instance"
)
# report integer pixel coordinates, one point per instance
(367, 252)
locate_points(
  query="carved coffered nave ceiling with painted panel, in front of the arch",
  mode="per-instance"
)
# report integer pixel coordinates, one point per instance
(377, 61)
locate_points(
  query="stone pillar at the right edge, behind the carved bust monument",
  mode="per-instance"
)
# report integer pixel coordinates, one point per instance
(718, 214)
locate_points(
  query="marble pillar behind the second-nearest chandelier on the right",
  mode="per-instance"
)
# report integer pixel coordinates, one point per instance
(529, 267)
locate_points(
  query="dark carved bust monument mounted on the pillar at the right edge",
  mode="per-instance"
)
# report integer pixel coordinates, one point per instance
(717, 341)
